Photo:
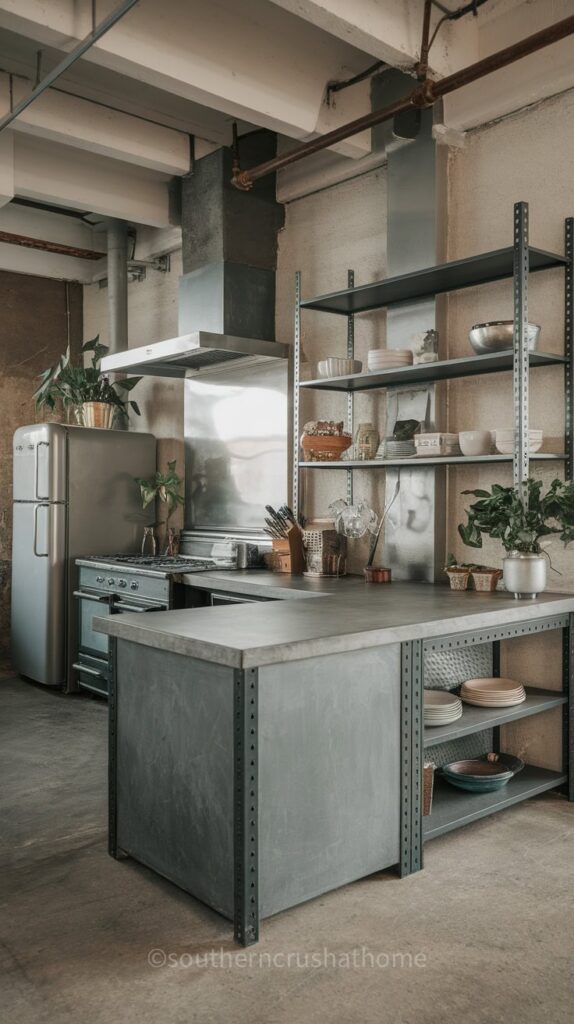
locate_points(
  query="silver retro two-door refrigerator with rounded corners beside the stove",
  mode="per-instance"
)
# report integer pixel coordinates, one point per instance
(74, 494)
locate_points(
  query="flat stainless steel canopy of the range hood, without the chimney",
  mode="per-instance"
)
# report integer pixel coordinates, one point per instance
(191, 354)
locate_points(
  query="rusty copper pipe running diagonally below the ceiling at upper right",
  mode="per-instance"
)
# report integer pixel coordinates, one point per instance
(424, 96)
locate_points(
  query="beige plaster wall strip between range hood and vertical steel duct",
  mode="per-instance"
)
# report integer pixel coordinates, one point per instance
(327, 234)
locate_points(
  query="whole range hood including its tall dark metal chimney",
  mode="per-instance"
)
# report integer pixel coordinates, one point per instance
(228, 291)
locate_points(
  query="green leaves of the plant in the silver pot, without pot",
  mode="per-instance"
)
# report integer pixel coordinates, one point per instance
(518, 524)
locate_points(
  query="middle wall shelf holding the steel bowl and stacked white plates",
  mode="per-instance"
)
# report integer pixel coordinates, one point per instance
(428, 373)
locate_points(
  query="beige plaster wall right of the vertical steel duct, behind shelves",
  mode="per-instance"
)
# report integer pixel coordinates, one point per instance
(528, 157)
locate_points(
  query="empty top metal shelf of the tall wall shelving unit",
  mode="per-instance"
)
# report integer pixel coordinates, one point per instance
(432, 281)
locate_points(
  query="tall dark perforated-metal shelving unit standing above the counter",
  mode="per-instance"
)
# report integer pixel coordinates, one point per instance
(517, 262)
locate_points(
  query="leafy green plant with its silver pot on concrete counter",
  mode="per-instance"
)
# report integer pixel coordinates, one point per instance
(520, 522)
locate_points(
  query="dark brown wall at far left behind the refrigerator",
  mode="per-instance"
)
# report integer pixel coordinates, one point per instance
(33, 336)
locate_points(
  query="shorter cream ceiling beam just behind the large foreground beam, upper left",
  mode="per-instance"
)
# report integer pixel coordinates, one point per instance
(97, 130)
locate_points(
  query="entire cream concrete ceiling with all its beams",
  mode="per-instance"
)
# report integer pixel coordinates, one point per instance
(116, 129)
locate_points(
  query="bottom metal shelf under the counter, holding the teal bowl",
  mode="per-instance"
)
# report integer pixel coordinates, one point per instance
(454, 808)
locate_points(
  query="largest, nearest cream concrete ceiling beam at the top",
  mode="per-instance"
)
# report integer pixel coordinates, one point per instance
(253, 62)
